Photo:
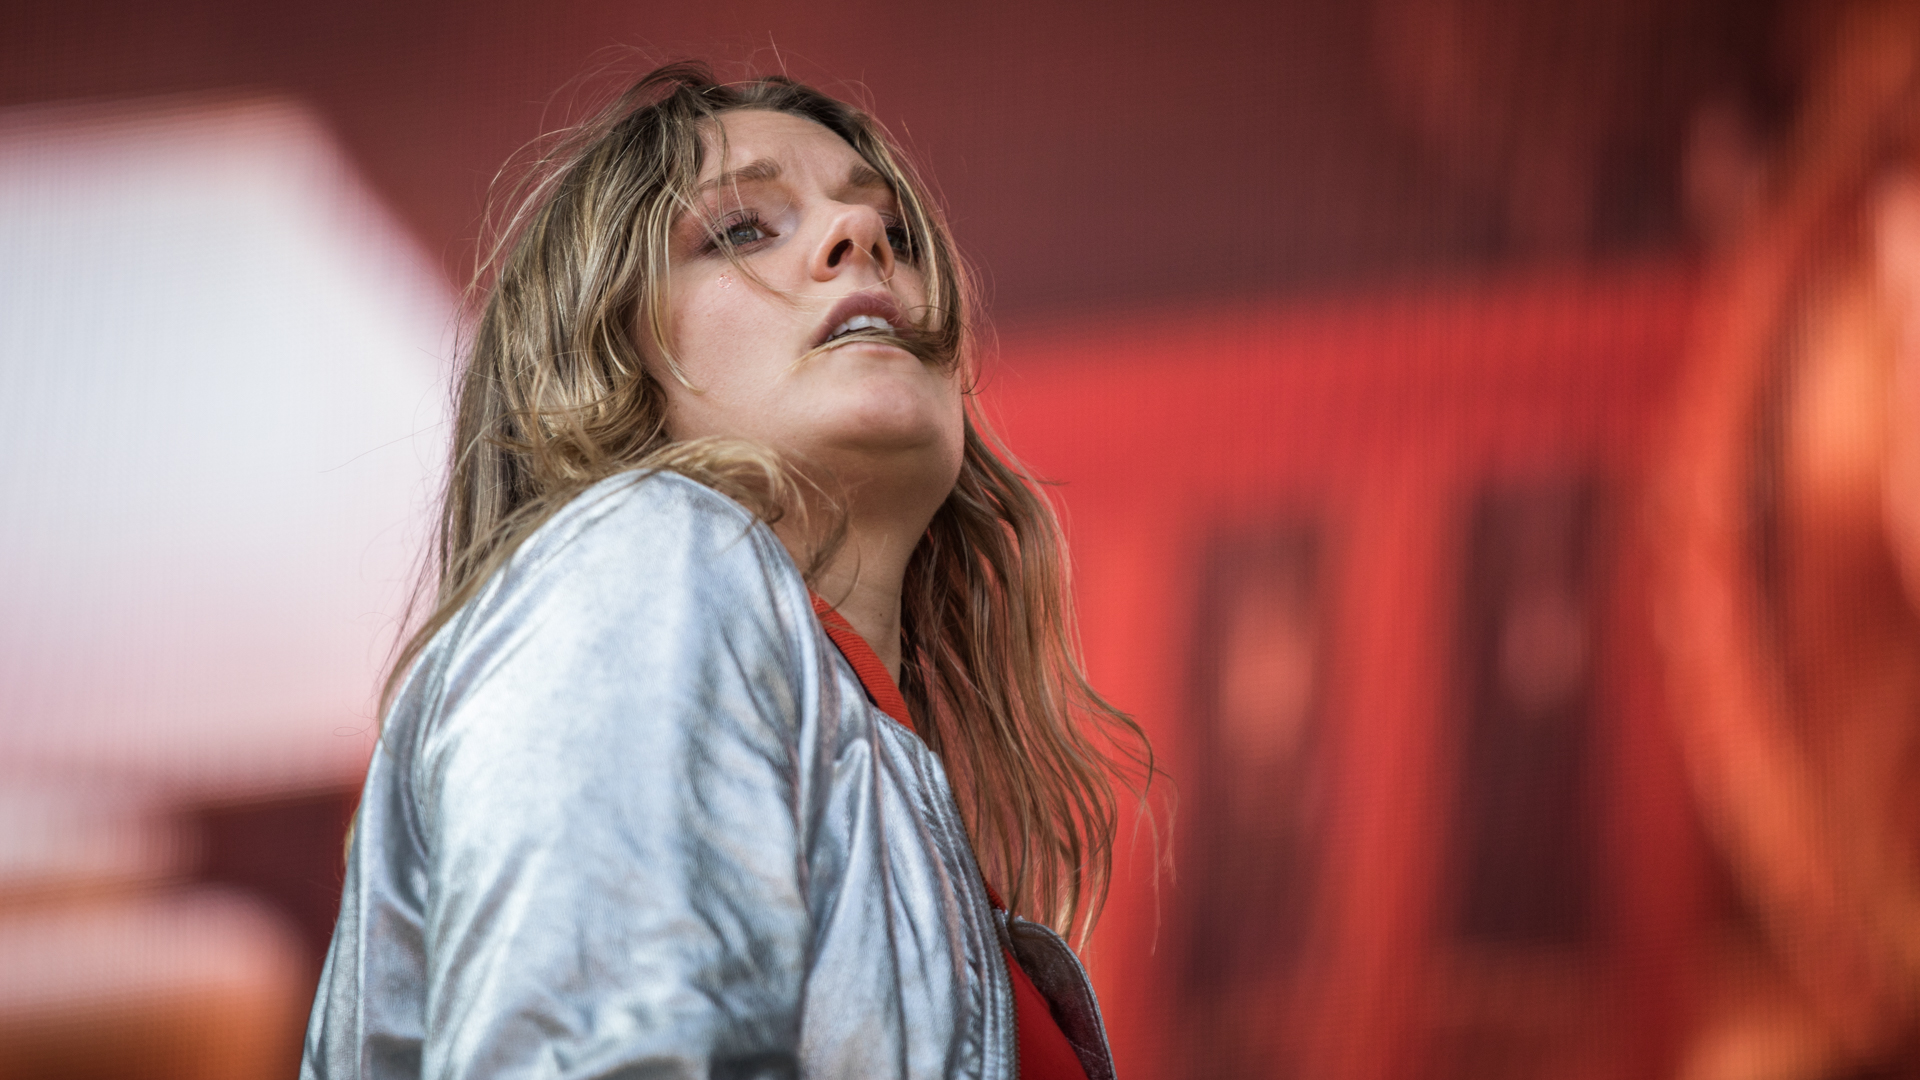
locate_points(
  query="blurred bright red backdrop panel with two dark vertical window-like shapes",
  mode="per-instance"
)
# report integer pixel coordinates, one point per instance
(1368, 576)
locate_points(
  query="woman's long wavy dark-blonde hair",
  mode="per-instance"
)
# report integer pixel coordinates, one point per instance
(556, 397)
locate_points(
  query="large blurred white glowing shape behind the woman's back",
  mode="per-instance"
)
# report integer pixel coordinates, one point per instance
(224, 380)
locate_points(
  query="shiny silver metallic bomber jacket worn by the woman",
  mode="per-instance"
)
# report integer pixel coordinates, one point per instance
(633, 816)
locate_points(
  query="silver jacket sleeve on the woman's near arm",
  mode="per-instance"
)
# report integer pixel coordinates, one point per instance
(610, 802)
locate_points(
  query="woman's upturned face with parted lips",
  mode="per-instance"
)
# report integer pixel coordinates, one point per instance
(825, 235)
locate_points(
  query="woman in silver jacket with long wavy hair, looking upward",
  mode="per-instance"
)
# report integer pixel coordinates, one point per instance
(731, 585)
